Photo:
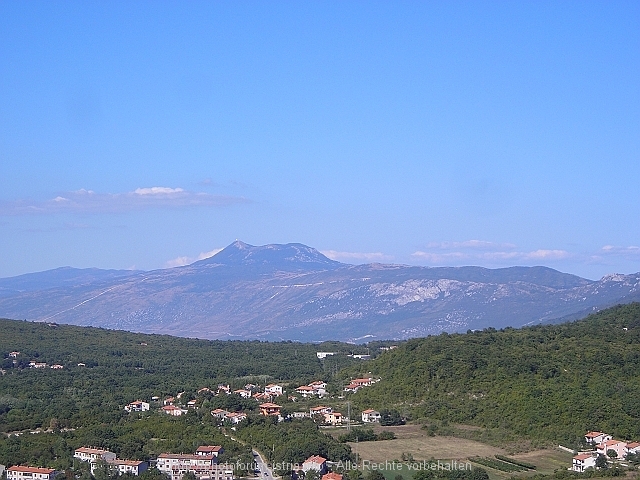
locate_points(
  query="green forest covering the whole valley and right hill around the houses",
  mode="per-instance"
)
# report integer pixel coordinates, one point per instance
(548, 384)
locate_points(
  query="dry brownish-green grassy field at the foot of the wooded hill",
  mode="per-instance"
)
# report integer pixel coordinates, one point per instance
(413, 440)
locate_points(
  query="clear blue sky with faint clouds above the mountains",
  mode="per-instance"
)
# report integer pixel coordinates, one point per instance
(150, 134)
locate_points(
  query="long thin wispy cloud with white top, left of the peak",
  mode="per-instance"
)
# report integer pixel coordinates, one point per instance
(88, 201)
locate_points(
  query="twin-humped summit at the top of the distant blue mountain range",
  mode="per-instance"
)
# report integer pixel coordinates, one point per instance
(290, 256)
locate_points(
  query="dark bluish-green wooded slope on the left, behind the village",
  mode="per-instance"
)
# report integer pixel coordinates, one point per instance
(105, 369)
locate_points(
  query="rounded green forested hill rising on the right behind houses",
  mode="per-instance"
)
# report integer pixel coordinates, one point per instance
(550, 383)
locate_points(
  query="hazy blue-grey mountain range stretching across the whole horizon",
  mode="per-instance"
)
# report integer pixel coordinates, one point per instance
(293, 292)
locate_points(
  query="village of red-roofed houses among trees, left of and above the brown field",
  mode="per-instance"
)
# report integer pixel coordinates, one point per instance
(203, 463)
